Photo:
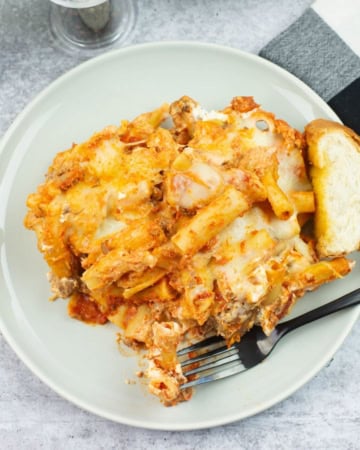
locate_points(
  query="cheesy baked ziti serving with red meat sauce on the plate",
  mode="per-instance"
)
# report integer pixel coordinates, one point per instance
(181, 224)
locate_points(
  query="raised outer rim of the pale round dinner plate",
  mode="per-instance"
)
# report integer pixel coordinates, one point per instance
(353, 314)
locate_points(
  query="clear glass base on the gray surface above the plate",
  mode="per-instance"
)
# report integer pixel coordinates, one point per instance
(92, 24)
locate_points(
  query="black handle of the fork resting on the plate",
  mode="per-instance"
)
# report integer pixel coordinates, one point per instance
(350, 299)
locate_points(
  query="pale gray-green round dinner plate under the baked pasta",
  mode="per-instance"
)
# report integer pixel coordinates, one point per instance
(83, 363)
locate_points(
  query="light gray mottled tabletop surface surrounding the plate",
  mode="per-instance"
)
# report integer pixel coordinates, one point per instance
(323, 414)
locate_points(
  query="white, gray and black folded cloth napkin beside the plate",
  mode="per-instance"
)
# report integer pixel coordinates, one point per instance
(322, 48)
